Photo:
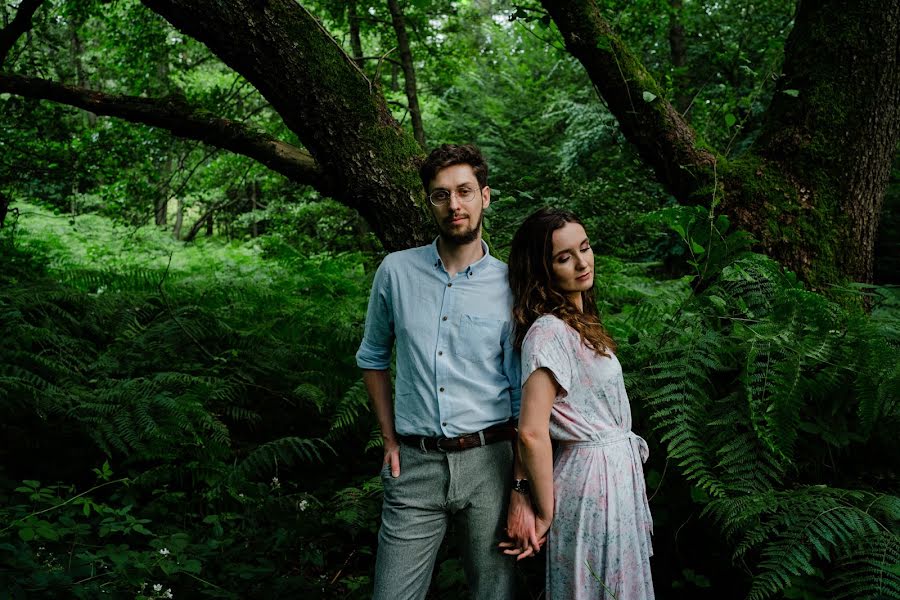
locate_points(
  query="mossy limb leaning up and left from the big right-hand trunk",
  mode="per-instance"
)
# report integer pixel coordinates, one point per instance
(663, 138)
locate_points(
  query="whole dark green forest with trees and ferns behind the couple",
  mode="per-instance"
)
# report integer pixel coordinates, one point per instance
(194, 196)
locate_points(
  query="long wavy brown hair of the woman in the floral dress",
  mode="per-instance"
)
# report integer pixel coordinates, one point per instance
(534, 289)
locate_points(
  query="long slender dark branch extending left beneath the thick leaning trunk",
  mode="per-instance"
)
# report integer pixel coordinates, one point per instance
(175, 115)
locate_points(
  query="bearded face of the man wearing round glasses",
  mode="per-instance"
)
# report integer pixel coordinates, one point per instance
(459, 221)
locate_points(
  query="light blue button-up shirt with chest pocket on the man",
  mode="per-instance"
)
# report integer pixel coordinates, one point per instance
(457, 372)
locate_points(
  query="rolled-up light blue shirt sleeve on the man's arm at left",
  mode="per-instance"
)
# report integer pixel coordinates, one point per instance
(378, 339)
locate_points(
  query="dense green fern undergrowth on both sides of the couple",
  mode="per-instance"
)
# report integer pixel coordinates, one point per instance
(196, 427)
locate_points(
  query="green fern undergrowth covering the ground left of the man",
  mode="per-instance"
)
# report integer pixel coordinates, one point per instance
(219, 390)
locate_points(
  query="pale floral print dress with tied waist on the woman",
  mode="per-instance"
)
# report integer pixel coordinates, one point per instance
(599, 543)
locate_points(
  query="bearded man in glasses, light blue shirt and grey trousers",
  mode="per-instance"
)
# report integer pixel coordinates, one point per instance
(447, 435)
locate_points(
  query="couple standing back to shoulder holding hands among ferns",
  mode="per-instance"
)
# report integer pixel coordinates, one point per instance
(492, 364)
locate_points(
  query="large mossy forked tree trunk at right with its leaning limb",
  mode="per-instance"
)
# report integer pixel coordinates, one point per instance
(811, 186)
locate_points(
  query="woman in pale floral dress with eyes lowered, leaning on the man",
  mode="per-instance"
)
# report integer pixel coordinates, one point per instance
(591, 499)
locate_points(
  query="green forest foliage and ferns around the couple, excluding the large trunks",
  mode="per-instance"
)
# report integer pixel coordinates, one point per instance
(182, 407)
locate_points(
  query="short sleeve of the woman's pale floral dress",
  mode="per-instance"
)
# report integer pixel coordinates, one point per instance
(547, 345)
